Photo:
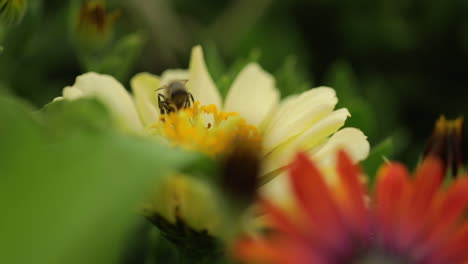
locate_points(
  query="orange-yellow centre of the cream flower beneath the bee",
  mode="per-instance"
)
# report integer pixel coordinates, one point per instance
(205, 129)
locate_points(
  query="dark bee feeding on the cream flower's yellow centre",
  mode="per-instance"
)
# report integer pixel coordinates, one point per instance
(176, 97)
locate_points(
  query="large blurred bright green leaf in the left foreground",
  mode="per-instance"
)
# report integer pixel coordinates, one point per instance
(71, 184)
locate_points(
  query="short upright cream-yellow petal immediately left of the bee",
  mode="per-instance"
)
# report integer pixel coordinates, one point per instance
(144, 87)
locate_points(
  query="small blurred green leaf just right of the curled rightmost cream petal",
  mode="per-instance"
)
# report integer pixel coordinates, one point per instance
(377, 157)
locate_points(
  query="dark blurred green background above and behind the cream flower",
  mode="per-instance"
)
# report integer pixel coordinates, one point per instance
(397, 65)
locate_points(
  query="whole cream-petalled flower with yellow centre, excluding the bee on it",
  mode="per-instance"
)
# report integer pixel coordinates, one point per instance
(306, 122)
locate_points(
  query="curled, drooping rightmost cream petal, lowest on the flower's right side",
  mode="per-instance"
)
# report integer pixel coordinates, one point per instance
(350, 139)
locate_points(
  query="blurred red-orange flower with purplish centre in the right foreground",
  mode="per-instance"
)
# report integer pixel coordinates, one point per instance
(405, 220)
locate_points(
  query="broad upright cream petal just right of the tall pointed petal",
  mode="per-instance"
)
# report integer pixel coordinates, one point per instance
(253, 94)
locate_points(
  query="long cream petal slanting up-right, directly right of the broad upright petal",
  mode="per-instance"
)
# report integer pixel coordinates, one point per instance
(298, 113)
